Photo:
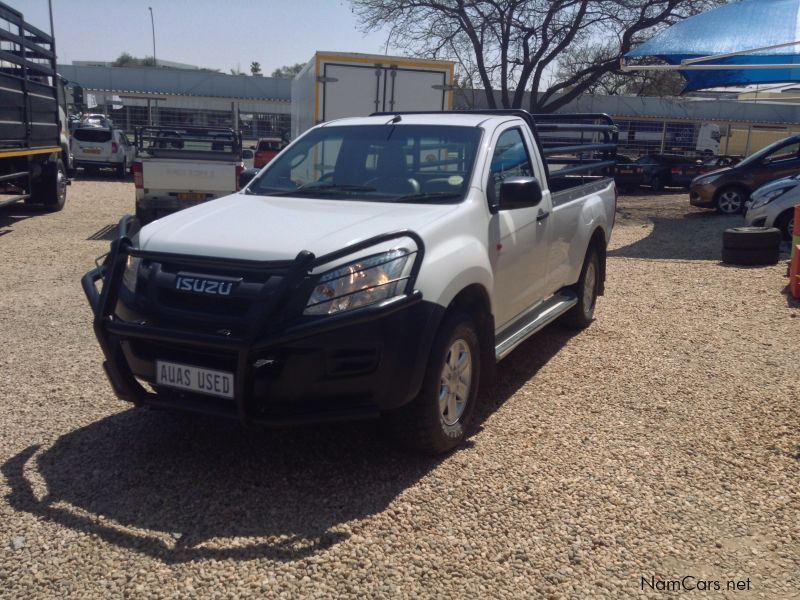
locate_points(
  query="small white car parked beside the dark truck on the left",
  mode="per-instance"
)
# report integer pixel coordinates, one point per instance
(94, 148)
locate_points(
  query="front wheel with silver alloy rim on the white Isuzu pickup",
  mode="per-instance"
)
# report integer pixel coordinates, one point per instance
(438, 419)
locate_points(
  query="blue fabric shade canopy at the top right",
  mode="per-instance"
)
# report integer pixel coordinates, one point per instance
(742, 43)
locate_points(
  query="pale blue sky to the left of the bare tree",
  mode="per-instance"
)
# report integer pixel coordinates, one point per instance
(218, 34)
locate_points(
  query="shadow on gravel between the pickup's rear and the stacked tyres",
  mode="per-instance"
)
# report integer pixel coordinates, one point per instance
(694, 236)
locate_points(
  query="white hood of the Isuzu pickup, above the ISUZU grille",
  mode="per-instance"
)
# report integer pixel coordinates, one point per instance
(277, 228)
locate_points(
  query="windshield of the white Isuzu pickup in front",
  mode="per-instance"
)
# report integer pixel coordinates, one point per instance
(382, 163)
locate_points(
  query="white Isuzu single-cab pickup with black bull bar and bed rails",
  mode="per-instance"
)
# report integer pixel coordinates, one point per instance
(377, 266)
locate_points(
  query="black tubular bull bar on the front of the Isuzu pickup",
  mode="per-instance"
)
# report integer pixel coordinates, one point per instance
(111, 331)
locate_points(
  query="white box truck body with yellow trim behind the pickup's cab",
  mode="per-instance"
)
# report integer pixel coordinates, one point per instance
(334, 85)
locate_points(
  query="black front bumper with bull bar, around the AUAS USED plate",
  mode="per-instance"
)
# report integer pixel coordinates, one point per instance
(346, 366)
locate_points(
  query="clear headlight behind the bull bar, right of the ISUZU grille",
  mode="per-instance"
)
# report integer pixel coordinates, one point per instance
(366, 281)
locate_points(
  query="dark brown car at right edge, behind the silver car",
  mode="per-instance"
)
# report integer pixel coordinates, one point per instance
(728, 189)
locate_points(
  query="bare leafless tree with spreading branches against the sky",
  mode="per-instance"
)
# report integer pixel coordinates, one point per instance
(514, 46)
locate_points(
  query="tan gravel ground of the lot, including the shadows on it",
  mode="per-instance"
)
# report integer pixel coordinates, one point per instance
(663, 441)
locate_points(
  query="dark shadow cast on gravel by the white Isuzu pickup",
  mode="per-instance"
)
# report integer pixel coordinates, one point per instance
(181, 488)
